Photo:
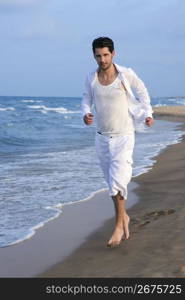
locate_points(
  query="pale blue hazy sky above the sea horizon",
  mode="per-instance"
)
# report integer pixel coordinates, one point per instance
(45, 45)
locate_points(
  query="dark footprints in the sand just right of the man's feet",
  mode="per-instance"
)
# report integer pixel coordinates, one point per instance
(148, 217)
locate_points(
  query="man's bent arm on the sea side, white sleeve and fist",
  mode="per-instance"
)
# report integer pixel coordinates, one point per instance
(86, 104)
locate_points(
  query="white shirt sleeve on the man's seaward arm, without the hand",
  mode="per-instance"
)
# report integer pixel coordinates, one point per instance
(86, 104)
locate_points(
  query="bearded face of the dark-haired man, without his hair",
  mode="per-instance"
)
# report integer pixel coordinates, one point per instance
(103, 57)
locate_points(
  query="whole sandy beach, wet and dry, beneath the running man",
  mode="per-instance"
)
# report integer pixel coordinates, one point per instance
(74, 244)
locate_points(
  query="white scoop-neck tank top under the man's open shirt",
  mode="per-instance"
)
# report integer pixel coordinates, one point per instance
(111, 107)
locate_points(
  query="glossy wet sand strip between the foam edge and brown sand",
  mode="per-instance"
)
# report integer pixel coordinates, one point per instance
(59, 237)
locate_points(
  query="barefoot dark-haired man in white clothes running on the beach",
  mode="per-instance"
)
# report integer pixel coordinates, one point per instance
(108, 89)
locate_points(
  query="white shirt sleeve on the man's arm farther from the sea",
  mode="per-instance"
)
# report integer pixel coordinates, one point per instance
(137, 84)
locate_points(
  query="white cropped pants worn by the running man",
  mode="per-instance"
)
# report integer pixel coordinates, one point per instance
(115, 155)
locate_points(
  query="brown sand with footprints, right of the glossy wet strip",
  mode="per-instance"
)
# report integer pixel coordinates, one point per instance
(157, 244)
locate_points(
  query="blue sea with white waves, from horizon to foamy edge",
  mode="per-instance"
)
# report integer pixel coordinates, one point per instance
(48, 159)
